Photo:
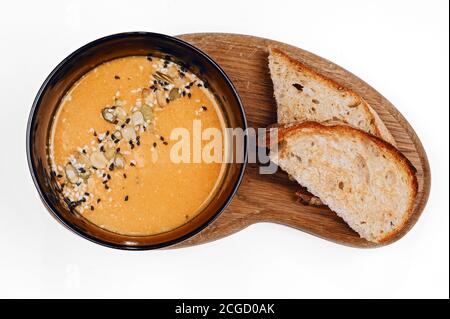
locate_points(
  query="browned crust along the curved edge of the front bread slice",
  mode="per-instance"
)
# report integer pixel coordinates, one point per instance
(285, 131)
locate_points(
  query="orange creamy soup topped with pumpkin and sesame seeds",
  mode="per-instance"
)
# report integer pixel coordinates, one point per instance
(111, 145)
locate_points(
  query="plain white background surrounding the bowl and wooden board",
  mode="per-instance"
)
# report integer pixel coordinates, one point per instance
(399, 47)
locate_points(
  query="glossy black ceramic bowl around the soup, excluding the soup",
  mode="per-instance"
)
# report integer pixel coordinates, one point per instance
(85, 59)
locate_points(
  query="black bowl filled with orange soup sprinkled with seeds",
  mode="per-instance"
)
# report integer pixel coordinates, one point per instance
(137, 141)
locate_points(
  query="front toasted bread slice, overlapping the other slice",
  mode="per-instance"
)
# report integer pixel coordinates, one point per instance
(365, 180)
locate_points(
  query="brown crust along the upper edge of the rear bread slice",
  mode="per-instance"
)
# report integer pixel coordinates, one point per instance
(377, 124)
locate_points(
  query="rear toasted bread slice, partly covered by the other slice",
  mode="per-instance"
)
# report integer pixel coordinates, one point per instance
(305, 95)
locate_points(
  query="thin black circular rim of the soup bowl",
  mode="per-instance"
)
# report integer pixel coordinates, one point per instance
(36, 105)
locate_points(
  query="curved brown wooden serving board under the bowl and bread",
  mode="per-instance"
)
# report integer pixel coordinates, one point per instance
(271, 198)
